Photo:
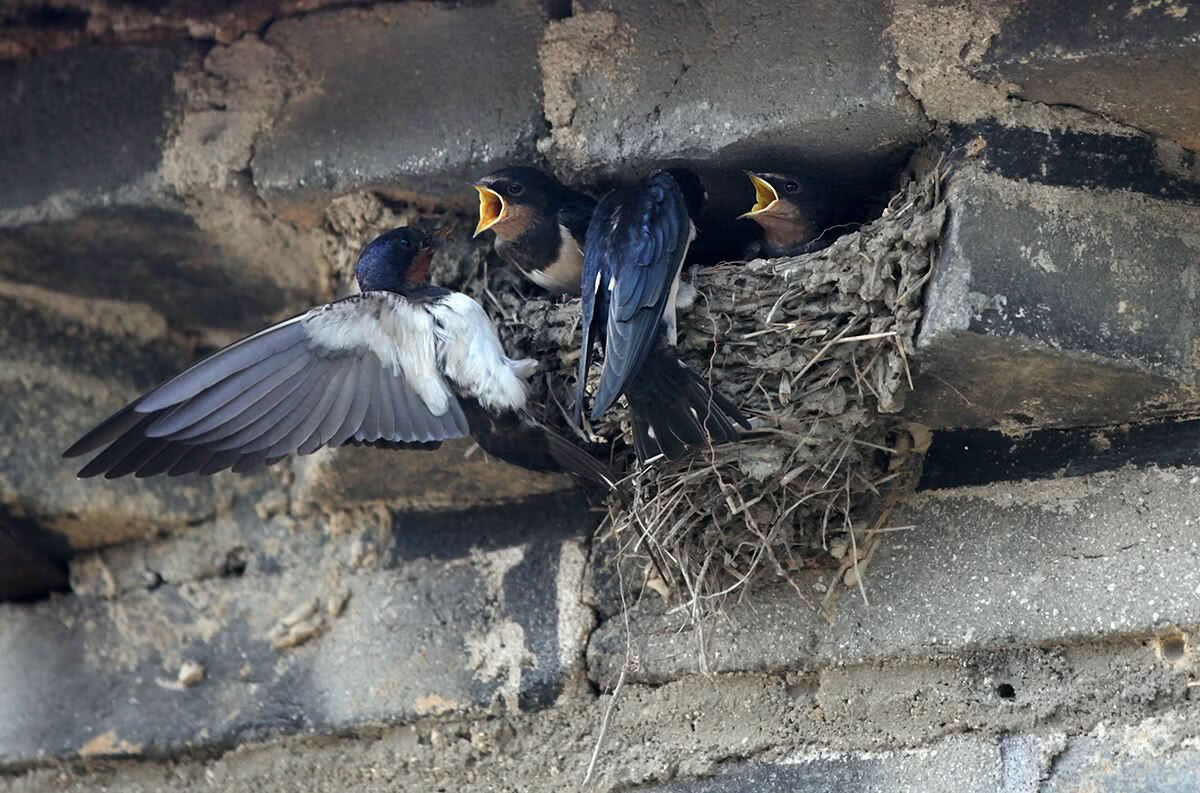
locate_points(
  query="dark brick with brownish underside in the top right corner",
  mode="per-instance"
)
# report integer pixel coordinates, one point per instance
(1138, 63)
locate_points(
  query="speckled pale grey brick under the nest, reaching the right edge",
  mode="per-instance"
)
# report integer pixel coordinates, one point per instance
(1004, 566)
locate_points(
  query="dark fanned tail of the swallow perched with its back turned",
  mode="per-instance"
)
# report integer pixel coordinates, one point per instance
(673, 408)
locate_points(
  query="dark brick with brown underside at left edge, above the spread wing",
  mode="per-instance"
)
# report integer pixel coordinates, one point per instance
(91, 214)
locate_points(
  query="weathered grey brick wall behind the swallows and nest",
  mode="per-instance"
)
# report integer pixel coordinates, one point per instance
(178, 173)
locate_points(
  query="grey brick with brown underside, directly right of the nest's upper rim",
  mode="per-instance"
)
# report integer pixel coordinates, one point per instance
(1058, 305)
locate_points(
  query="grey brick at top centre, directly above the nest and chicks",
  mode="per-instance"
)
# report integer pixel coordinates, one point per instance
(758, 85)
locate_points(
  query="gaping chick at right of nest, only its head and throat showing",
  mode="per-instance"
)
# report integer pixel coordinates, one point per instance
(794, 214)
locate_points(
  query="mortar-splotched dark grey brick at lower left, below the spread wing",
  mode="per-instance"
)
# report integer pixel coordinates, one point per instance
(326, 645)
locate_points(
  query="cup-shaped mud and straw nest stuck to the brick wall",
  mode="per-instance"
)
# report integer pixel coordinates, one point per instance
(815, 349)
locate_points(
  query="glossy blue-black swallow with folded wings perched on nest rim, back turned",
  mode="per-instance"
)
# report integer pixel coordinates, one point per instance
(637, 247)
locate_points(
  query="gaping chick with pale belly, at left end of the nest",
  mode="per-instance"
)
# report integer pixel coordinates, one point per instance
(539, 225)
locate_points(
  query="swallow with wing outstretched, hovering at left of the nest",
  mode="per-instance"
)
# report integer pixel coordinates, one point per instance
(403, 364)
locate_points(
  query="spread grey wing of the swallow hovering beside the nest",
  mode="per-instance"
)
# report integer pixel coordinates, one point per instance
(362, 370)
